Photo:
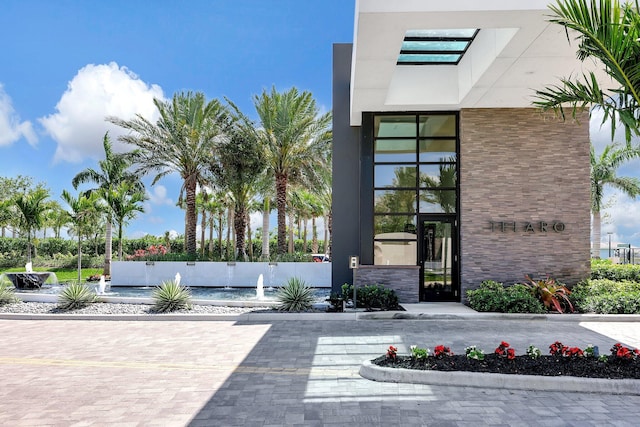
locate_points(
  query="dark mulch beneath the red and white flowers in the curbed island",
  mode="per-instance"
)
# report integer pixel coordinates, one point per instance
(614, 367)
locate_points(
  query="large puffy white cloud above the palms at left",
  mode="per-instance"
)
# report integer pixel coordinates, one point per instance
(97, 91)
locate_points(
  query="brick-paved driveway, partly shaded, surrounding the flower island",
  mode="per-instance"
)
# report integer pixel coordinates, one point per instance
(280, 372)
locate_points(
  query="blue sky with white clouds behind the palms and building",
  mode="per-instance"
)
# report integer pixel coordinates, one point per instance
(67, 64)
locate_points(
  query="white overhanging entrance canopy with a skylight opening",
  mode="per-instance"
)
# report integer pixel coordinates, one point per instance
(411, 55)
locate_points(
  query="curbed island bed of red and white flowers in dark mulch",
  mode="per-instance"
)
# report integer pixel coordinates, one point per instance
(621, 363)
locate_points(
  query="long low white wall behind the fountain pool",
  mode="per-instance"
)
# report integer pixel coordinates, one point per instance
(219, 274)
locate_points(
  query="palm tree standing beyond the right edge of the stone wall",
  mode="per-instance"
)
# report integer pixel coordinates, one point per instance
(603, 172)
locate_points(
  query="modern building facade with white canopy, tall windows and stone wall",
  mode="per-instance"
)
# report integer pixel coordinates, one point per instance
(443, 173)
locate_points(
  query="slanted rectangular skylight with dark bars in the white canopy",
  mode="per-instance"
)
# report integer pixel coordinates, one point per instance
(435, 47)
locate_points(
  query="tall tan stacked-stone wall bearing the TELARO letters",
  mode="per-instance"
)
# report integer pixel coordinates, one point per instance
(519, 165)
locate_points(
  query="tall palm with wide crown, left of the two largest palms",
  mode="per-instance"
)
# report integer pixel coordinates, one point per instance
(182, 140)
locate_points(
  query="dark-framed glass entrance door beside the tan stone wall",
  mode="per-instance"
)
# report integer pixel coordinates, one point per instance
(439, 258)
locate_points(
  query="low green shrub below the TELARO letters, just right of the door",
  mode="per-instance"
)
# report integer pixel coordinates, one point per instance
(495, 297)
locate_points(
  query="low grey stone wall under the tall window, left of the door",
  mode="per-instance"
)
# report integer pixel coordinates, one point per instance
(403, 279)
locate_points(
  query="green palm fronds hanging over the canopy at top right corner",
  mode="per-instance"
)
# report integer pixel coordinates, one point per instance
(608, 32)
